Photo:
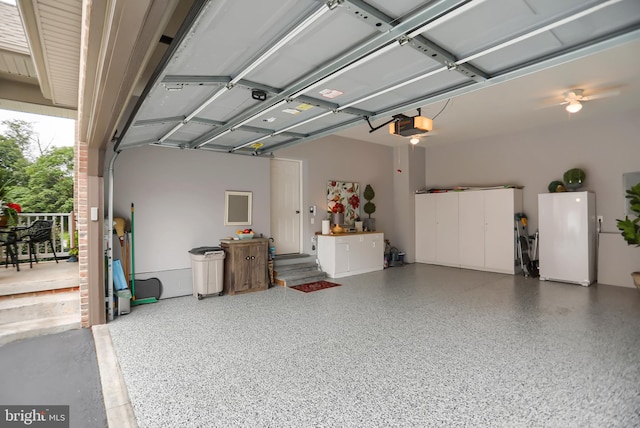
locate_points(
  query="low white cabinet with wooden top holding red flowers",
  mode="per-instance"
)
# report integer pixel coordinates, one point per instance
(351, 254)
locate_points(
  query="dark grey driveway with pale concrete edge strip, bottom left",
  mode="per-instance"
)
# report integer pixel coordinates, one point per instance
(77, 368)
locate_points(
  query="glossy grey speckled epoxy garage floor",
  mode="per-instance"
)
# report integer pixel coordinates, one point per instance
(414, 346)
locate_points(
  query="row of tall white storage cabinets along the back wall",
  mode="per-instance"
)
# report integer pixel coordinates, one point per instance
(472, 229)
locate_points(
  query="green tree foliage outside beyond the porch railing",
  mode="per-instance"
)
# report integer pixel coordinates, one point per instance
(43, 184)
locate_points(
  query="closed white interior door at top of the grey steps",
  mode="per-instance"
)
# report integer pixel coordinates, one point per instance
(285, 205)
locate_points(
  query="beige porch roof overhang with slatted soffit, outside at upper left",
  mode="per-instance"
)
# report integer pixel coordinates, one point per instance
(39, 56)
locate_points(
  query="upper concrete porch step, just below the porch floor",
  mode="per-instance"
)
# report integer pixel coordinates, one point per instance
(32, 307)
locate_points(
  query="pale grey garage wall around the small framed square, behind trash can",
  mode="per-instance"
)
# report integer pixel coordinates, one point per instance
(179, 205)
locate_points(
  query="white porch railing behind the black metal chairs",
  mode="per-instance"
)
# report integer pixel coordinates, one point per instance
(63, 234)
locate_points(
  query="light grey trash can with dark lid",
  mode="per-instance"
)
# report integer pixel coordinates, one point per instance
(207, 267)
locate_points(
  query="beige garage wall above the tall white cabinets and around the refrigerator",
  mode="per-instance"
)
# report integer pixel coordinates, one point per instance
(605, 149)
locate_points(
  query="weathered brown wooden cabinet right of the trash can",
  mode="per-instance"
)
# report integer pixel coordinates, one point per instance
(245, 266)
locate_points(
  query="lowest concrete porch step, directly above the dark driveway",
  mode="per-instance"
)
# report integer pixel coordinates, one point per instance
(40, 327)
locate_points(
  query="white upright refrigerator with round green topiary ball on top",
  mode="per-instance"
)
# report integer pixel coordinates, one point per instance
(567, 247)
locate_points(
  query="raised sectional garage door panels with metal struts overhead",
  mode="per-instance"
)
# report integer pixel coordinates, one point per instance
(253, 77)
